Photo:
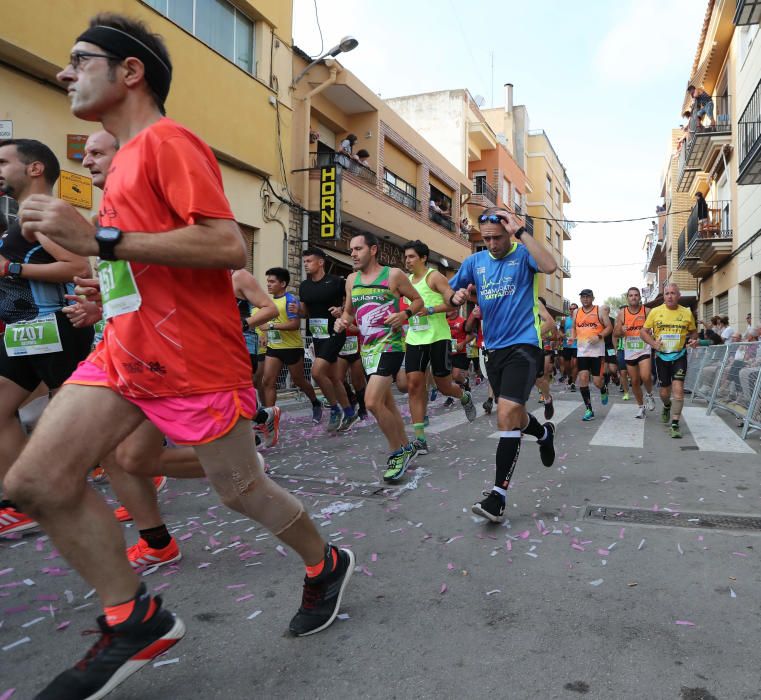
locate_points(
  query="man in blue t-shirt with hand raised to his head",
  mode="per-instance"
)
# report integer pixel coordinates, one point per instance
(503, 278)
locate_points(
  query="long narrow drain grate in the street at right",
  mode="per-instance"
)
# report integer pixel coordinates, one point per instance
(639, 516)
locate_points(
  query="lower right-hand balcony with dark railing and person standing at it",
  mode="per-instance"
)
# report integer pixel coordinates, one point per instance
(704, 243)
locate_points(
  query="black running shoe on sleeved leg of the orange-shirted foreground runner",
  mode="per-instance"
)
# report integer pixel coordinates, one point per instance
(321, 598)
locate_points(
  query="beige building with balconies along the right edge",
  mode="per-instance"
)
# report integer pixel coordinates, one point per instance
(721, 158)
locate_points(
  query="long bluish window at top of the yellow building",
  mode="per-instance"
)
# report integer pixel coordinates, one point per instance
(215, 22)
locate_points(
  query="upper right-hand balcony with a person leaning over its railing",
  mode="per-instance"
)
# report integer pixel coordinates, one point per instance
(706, 138)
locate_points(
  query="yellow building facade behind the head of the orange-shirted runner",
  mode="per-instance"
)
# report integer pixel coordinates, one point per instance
(218, 49)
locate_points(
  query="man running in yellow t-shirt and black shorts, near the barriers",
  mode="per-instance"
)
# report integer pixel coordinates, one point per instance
(667, 329)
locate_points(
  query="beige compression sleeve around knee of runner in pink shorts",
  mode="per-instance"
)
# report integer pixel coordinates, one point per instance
(236, 471)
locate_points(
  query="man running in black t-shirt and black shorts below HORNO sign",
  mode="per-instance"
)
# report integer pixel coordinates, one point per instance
(321, 294)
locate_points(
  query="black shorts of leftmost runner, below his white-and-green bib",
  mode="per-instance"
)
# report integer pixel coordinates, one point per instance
(53, 368)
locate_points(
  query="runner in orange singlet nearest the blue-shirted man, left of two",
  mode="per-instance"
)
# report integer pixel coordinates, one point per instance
(590, 327)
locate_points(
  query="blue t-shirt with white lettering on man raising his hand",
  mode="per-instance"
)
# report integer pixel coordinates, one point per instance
(507, 290)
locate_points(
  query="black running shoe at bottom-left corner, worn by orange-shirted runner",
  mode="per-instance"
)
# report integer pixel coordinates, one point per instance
(120, 651)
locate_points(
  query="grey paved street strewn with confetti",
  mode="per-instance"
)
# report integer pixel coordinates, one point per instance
(556, 603)
